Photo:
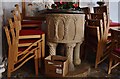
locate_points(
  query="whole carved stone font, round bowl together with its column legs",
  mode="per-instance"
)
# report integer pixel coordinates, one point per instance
(67, 29)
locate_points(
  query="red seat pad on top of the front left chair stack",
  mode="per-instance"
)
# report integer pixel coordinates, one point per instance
(30, 32)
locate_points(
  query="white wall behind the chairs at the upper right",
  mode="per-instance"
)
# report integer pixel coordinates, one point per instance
(114, 9)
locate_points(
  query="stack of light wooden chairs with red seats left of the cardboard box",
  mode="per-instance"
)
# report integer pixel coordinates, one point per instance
(23, 46)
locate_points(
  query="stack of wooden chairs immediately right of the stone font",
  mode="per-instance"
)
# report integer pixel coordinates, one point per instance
(97, 38)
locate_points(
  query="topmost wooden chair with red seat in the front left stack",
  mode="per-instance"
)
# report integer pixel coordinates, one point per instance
(31, 33)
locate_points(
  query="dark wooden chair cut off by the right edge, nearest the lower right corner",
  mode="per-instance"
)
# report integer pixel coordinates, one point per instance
(115, 54)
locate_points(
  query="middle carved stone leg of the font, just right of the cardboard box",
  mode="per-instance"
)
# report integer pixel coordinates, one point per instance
(69, 48)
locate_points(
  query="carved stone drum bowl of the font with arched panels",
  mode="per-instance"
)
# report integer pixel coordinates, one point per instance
(65, 28)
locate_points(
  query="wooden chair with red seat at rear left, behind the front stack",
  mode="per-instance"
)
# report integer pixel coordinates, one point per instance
(26, 23)
